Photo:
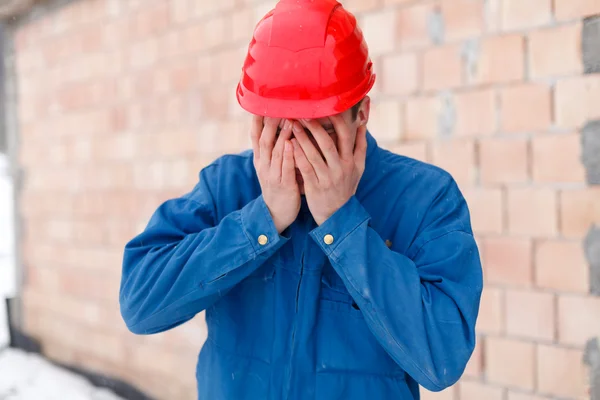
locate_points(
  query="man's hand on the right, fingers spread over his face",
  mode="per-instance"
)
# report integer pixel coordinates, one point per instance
(329, 183)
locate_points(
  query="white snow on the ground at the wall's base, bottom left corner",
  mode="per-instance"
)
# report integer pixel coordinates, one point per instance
(28, 376)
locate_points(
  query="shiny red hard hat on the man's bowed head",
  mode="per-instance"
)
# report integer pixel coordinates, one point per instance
(307, 59)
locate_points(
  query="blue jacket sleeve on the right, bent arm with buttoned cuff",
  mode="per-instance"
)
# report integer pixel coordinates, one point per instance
(422, 306)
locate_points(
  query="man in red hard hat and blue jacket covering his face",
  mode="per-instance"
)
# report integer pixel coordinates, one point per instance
(329, 268)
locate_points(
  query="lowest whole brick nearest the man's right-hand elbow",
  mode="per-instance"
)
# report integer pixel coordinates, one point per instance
(510, 362)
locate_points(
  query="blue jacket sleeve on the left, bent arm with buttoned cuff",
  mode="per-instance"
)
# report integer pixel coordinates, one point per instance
(184, 261)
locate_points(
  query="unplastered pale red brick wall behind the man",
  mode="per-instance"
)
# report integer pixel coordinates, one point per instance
(121, 102)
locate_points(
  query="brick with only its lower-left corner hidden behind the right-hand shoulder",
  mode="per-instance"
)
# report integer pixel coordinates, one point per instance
(458, 158)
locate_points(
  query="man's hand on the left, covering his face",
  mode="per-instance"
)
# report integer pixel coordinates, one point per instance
(274, 164)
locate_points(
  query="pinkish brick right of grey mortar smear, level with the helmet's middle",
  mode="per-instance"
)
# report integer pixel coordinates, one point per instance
(500, 60)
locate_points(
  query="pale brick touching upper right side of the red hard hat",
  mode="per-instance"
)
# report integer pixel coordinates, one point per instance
(378, 28)
